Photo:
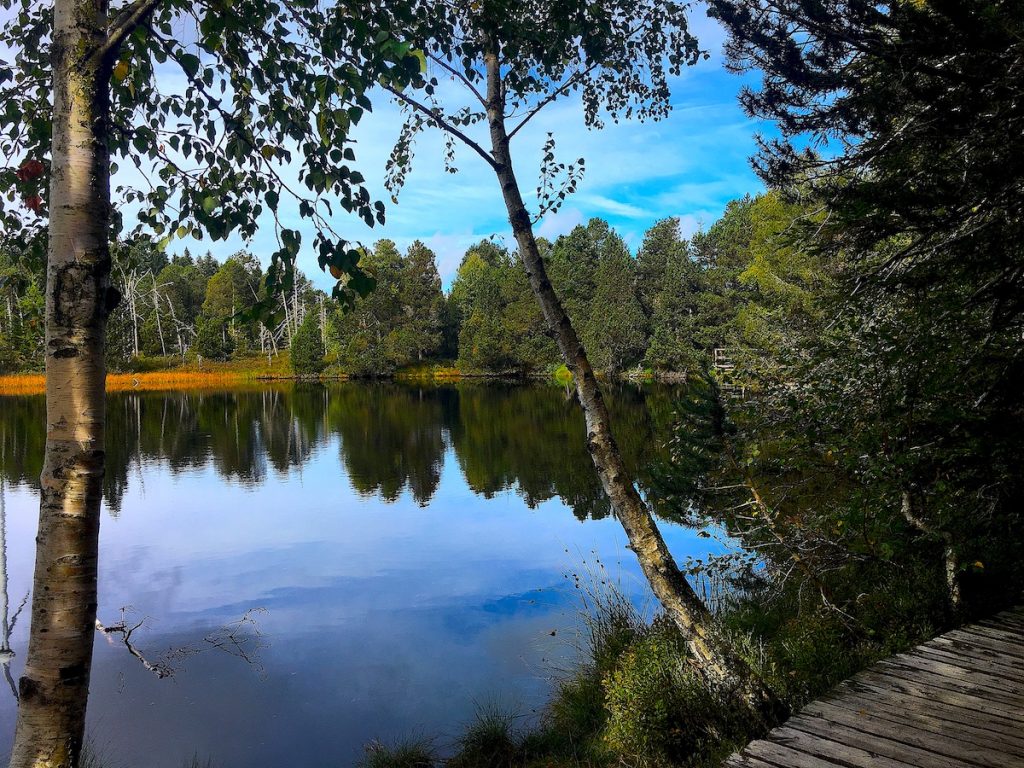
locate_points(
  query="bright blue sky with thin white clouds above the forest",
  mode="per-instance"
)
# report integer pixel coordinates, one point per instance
(689, 166)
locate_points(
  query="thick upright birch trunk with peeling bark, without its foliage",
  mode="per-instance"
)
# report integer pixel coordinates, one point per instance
(56, 685)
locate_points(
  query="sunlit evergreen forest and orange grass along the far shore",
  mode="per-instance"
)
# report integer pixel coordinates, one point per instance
(193, 321)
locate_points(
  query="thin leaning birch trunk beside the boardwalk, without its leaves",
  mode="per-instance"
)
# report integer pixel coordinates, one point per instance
(714, 659)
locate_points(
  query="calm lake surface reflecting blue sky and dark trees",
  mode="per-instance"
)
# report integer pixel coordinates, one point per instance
(323, 567)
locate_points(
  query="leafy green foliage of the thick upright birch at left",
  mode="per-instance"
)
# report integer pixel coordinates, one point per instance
(227, 109)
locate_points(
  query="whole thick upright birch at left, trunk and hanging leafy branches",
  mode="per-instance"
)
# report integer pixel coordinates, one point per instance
(266, 94)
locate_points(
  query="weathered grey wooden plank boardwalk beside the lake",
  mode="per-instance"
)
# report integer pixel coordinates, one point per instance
(957, 702)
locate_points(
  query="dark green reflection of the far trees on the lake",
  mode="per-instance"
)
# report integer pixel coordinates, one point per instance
(394, 438)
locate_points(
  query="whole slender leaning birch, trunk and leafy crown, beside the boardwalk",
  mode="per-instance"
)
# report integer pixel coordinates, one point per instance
(511, 61)
